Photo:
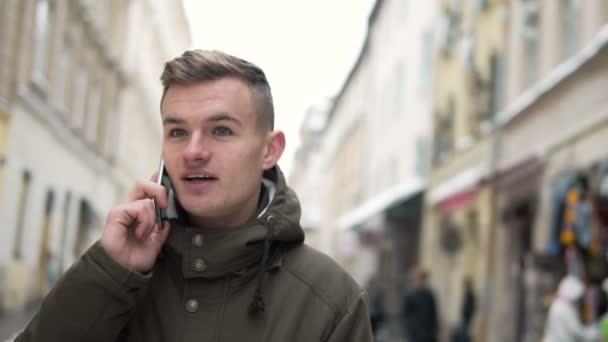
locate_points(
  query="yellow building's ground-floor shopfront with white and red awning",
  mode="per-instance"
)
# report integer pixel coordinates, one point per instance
(456, 242)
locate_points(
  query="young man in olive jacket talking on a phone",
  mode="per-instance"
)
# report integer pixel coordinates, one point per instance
(231, 265)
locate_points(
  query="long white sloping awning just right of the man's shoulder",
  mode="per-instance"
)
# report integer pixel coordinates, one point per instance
(379, 203)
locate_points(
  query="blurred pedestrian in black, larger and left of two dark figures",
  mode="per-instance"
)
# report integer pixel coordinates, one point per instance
(419, 310)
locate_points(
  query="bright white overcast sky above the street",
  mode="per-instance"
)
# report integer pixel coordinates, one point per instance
(306, 48)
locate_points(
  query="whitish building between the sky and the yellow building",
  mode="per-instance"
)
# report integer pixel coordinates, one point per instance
(372, 154)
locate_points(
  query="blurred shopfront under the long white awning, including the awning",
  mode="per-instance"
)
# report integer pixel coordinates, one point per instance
(386, 230)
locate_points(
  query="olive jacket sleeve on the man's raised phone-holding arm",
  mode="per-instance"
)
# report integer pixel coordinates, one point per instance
(92, 301)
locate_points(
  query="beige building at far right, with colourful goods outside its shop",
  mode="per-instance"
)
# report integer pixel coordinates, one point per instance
(552, 137)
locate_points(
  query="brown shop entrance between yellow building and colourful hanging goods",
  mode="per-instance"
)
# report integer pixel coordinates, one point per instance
(517, 199)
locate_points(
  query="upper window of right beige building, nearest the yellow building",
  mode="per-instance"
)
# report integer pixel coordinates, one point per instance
(531, 38)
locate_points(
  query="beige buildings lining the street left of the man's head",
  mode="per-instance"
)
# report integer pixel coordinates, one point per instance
(65, 76)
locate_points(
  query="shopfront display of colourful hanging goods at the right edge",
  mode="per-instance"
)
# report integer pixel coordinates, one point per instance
(579, 230)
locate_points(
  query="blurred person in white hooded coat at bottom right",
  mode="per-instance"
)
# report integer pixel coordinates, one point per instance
(563, 322)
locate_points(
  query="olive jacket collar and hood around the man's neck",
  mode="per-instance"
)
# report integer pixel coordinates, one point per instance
(230, 250)
